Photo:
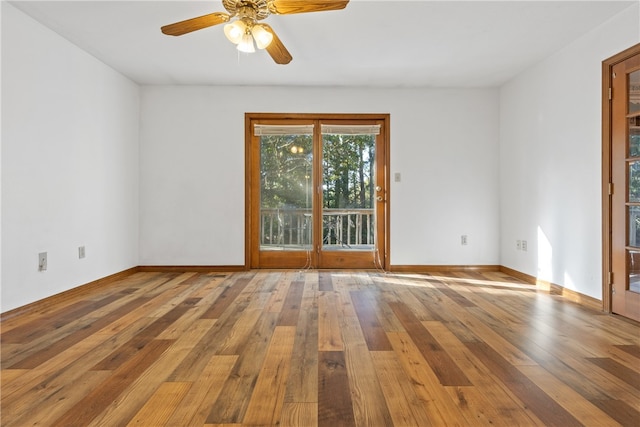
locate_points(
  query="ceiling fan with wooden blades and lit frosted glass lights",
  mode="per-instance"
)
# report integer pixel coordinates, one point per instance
(246, 29)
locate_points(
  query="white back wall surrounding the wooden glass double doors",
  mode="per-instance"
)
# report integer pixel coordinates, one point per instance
(443, 142)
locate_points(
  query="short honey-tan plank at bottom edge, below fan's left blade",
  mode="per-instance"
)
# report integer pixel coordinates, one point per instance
(160, 407)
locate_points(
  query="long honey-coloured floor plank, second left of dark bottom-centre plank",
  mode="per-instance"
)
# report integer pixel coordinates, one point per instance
(267, 398)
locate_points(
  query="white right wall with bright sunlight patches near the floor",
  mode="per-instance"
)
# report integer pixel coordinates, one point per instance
(550, 160)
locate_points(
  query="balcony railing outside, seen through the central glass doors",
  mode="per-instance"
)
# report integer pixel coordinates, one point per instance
(291, 229)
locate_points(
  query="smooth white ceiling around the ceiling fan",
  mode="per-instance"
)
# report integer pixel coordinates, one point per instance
(370, 43)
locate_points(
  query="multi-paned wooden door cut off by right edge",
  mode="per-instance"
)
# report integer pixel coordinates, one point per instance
(625, 188)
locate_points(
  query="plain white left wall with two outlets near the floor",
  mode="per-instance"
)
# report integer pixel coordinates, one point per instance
(69, 164)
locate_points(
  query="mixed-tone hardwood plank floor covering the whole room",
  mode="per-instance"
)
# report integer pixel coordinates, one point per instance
(320, 348)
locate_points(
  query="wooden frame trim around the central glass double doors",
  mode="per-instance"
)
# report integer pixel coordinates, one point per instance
(250, 117)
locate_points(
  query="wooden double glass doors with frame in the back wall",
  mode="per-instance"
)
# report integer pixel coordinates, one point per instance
(317, 191)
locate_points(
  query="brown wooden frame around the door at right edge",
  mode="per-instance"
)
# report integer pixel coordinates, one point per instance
(607, 169)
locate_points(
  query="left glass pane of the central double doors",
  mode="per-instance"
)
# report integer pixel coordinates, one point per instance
(285, 192)
